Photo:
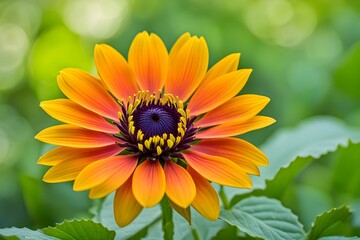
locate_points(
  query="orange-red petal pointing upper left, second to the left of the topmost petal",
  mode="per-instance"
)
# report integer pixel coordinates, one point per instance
(87, 91)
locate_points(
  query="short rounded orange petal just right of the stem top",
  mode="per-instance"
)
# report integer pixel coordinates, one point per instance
(180, 187)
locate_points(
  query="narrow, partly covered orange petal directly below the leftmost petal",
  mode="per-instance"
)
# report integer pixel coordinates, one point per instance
(62, 154)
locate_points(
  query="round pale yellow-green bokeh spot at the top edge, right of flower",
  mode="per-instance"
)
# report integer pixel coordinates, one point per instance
(285, 23)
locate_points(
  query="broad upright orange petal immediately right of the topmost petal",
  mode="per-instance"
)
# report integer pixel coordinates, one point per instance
(187, 68)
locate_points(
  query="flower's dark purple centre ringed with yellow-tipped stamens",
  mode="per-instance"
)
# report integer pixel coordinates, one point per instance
(156, 126)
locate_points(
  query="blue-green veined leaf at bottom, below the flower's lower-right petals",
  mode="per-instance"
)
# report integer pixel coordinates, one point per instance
(264, 218)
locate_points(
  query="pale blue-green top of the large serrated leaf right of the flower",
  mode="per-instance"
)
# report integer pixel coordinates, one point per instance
(312, 138)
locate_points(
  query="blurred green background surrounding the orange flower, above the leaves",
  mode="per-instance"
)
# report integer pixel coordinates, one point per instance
(305, 56)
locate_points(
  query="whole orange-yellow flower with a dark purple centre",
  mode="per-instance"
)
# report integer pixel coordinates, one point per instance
(157, 124)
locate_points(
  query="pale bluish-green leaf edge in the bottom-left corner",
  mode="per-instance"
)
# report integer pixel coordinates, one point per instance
(24, 233)
